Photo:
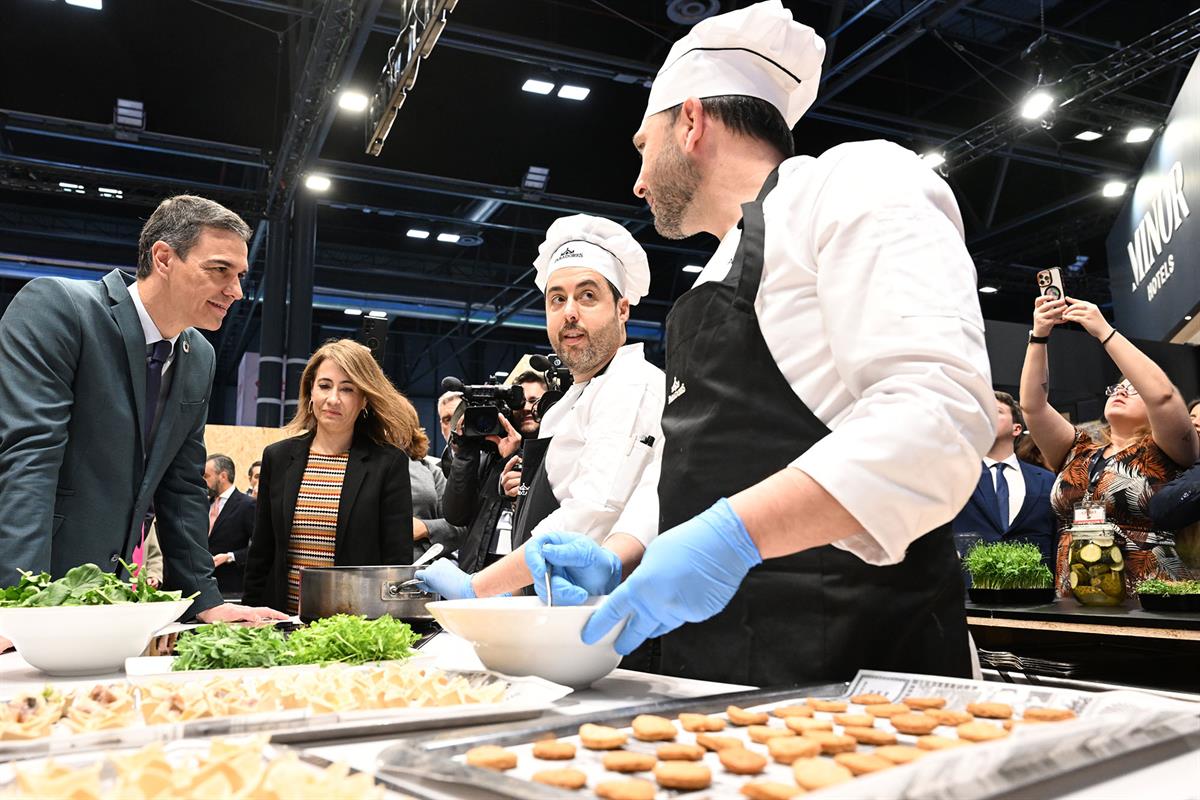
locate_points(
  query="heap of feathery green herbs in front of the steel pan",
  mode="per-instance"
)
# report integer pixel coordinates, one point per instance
(341, 639)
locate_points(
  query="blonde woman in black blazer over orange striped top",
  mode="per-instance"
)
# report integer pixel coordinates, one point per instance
(338, 494)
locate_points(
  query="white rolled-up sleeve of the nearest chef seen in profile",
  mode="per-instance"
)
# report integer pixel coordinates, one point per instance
(897, 291)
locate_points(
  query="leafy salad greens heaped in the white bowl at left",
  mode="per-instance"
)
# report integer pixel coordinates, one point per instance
(83, 586)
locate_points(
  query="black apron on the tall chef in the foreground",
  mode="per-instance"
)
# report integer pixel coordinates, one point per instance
(734, 420)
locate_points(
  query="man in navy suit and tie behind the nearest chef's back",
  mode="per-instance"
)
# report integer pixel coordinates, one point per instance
(1012, 501)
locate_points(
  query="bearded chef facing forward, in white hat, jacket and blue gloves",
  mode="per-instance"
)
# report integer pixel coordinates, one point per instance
(595, 467)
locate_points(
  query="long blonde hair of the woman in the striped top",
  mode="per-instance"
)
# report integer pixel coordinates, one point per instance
(389, 419)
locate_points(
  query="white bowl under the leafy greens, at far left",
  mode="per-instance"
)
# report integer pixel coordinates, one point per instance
(86, 640)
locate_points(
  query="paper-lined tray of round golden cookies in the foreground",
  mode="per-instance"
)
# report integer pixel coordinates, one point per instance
(879, 736)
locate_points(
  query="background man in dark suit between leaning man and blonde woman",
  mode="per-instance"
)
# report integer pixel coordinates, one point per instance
(231, 525)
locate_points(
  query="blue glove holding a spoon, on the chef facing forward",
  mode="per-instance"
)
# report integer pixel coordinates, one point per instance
(579, 568)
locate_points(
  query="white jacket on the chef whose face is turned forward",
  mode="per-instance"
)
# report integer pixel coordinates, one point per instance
(613, 492)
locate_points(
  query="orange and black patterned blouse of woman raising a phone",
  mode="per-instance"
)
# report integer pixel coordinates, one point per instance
(1125, 484)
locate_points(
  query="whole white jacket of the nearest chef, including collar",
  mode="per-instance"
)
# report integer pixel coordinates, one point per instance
(869, 306)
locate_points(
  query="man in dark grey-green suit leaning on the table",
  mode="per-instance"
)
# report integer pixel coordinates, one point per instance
(104, 400)
